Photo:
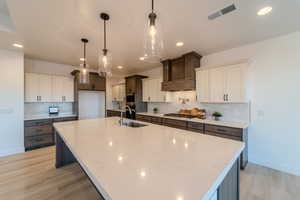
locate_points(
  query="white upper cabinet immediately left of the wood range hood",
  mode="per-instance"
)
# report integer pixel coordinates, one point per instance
(152, 91)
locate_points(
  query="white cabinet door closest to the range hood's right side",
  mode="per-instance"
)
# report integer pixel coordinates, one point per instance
(202, 86)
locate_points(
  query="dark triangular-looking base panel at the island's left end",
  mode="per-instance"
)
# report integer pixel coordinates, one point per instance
(63, 155)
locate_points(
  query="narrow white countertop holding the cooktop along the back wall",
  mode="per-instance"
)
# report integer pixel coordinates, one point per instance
(205, 121)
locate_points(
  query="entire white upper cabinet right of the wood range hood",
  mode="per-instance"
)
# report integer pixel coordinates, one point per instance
(222, 85)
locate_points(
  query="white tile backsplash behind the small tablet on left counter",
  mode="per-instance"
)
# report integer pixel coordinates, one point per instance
(42, 108)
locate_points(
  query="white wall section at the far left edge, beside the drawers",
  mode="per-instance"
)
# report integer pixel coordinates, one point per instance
(11, 102)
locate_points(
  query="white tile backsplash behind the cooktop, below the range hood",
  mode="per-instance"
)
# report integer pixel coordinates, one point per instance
(230, 112)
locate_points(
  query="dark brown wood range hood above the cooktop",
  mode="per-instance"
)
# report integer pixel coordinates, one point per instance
(179, 73)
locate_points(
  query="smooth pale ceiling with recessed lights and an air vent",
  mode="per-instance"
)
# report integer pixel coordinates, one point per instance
(51, 30)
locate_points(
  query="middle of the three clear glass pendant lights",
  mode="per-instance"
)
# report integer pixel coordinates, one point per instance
(105, 59)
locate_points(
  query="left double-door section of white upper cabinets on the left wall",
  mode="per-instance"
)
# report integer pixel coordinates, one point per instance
(37, 88)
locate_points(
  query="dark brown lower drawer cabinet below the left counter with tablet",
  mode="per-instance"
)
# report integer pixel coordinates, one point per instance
(40, 133)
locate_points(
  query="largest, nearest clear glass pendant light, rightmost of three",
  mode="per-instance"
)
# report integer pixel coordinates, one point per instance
(153, 42)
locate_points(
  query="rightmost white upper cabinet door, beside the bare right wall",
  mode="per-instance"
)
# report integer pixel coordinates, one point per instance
(235, 87)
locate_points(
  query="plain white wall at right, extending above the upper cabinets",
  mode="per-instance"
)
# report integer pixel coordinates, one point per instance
(274, 138)
